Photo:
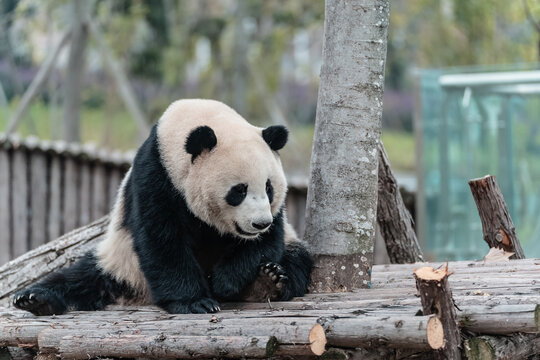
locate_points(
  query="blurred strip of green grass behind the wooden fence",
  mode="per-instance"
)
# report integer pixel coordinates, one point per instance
(117, 130)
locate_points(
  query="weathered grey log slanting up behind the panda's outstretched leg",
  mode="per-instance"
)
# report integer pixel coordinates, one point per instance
(52, 256)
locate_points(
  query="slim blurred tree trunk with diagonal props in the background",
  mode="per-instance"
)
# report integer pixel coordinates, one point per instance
(75, 71)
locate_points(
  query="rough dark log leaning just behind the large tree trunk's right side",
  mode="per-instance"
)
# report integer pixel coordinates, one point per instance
(394, 220)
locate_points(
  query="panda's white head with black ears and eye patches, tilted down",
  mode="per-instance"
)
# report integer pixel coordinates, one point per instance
(228, 171)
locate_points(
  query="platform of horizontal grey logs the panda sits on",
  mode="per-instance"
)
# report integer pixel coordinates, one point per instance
(499, 298)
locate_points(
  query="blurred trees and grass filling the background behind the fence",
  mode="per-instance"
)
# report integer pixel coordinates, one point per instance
(261, 57)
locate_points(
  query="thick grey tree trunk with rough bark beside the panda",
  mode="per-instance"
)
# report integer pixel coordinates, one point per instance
(342, 196)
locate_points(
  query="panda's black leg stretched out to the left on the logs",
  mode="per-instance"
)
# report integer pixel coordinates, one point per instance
(82, 286)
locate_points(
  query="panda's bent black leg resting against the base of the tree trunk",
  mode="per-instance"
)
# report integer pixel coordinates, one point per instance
(296, 264)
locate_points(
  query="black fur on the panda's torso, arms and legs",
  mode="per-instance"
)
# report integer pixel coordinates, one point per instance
(186, 262)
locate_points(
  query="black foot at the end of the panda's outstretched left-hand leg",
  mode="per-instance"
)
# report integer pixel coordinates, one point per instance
(39, 302)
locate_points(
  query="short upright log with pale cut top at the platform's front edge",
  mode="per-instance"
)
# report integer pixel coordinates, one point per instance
(436, 298)
